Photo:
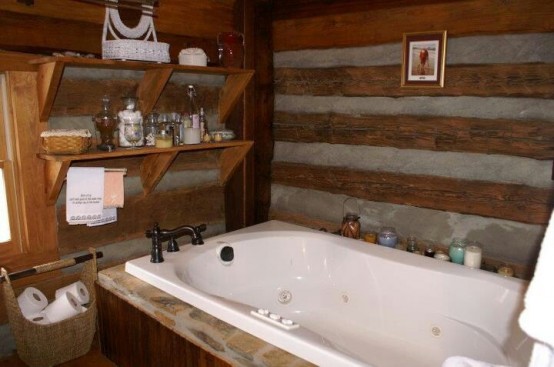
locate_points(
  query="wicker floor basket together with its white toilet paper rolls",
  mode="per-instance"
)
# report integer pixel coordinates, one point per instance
(46, 332)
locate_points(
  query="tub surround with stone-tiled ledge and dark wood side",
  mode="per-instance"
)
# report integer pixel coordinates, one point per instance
(141, 325)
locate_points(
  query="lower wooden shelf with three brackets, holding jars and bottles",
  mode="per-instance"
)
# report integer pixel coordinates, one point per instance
(154, 165)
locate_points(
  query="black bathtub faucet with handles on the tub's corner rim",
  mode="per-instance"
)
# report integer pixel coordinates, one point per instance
(158, 236)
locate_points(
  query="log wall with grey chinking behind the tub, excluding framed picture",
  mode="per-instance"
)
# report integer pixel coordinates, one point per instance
(472, 159)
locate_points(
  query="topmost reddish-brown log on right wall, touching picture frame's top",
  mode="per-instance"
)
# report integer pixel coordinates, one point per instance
(380, 26)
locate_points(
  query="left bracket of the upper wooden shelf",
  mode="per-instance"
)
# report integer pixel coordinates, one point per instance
(48, 80)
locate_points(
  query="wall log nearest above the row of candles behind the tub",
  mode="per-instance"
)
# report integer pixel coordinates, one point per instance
(497, 200)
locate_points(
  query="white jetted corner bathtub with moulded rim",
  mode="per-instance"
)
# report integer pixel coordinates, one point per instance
(356, 304)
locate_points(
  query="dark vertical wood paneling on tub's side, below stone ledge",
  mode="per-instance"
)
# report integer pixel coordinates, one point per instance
(130, 338)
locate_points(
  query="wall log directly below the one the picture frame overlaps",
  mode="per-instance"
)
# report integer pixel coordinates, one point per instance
(533, 139)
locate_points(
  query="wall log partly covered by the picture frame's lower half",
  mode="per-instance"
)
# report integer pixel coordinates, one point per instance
(500, 80)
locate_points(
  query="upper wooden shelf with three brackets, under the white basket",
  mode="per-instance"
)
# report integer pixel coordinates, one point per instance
(50, 72)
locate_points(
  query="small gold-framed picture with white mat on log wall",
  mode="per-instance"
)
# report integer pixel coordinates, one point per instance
(423, 58)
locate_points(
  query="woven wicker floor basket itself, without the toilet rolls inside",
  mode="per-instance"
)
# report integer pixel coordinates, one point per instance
(49, 345)
